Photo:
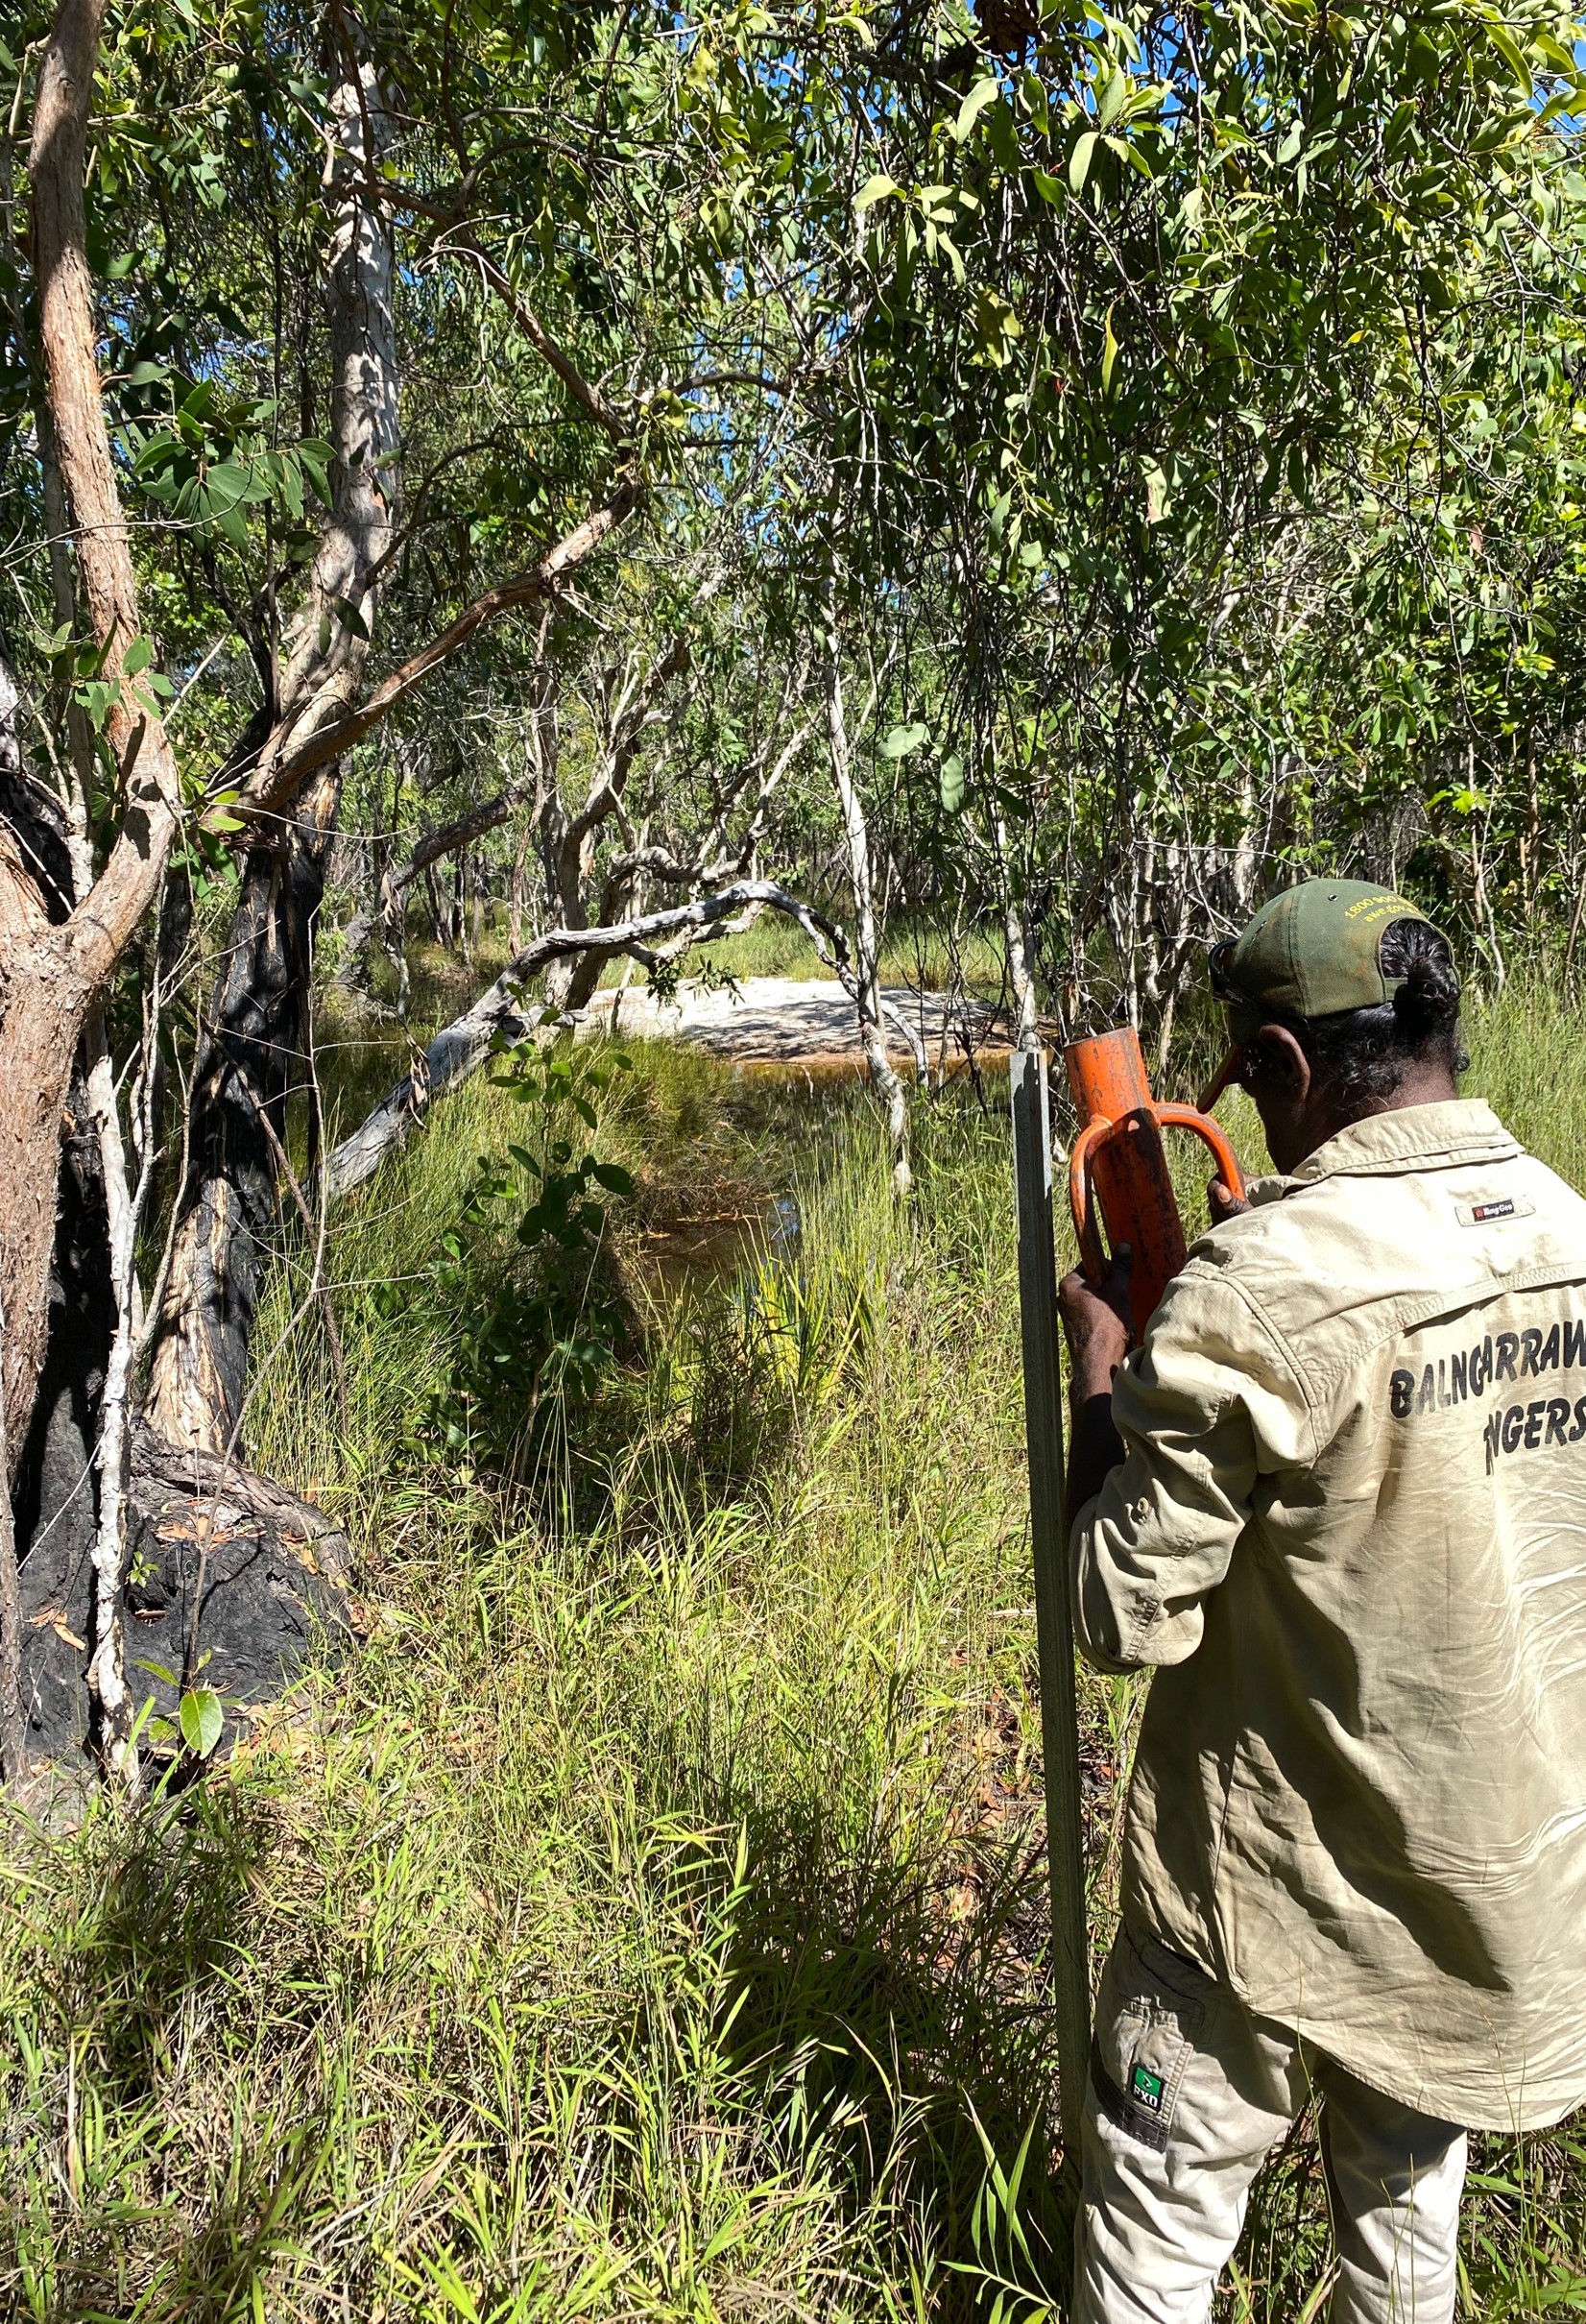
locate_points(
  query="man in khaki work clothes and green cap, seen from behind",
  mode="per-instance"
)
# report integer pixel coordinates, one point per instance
(1339, 1500)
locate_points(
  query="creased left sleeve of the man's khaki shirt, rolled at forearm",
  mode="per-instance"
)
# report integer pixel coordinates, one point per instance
(1204, 1407)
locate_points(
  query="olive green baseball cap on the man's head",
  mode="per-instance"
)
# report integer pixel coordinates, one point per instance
(1313, 952)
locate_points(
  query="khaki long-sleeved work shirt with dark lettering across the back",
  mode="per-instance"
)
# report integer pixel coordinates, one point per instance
(1350, 1528)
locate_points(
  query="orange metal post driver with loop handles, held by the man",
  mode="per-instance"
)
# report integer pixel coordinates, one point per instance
(1120, 1168)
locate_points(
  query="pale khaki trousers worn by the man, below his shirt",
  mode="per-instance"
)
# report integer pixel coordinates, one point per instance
(1188, 2097)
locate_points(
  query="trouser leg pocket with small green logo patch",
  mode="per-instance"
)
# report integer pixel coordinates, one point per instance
(1151, 2014)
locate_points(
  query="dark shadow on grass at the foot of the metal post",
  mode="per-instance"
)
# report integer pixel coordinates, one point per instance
(921, 2011)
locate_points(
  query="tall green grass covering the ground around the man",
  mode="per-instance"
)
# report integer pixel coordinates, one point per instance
(649, 1918)
